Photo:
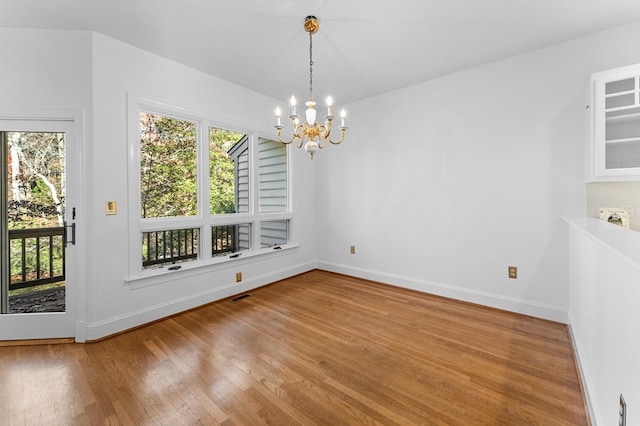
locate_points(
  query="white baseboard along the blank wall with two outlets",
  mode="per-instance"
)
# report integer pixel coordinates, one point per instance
(538, 310)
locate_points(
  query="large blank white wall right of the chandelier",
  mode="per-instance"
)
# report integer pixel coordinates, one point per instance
(444, 184)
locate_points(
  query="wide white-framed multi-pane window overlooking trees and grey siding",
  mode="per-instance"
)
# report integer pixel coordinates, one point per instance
(202, 193)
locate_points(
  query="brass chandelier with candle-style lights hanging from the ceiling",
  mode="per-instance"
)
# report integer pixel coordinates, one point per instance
(310, 134)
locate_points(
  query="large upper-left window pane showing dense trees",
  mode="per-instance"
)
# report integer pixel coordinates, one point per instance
(168, 168)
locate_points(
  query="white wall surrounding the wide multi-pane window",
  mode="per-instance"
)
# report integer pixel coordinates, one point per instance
(114, 304)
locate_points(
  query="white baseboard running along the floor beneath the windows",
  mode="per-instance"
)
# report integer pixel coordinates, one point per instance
(114, 325)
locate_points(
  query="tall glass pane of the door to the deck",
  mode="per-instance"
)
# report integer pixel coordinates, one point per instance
(35, 183)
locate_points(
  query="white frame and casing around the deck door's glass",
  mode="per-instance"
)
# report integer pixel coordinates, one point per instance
(71, 323)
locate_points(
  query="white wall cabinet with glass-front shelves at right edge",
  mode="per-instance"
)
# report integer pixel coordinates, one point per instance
(614, 152)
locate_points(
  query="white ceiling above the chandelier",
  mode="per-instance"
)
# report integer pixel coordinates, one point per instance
(363, 48)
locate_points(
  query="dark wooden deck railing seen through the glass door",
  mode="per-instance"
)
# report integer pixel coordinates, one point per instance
(36, 256)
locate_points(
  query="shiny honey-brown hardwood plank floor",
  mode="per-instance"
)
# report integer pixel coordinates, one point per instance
(318, 348)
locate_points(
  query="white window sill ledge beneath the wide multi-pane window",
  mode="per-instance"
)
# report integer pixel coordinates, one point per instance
(199, 267)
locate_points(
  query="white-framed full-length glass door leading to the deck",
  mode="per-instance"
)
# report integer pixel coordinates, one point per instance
(37, 232)
